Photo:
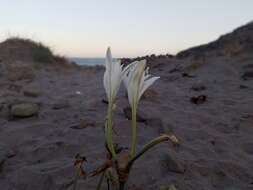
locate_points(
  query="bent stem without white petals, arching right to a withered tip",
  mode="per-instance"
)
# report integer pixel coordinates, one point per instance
(148, 146)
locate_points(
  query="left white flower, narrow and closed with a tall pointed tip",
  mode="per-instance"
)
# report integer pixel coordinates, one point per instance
(112, 77)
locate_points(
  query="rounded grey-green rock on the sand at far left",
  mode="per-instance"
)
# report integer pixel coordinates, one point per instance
(23, 110)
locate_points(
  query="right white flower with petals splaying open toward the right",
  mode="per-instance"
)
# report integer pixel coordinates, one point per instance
(137, 80)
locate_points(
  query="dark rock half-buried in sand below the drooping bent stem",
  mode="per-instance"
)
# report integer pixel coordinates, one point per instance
(170, 162)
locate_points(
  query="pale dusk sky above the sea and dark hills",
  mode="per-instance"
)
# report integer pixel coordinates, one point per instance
(85, 28)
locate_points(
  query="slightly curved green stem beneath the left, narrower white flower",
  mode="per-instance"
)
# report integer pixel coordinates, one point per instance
(109, 131)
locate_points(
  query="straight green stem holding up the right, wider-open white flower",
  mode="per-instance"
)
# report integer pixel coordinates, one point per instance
(134, 134)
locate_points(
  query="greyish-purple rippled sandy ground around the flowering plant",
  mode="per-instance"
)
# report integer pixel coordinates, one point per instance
(216, 150)
